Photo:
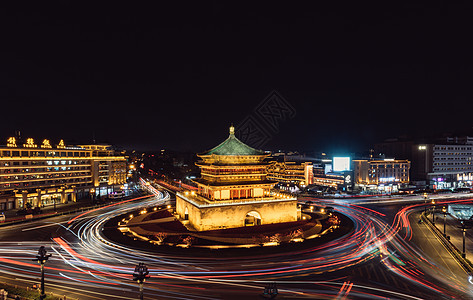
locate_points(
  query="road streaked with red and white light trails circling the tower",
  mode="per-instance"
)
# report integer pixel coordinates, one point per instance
(375, 261)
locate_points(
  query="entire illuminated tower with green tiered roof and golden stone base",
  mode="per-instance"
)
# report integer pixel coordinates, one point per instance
(233, 190)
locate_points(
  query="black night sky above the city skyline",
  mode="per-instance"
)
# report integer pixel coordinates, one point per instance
(176, 76)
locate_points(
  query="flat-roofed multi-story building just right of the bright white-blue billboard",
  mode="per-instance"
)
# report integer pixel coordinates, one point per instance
(373, 174)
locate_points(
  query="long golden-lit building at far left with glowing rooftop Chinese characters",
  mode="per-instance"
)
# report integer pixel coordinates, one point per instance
(45, 174)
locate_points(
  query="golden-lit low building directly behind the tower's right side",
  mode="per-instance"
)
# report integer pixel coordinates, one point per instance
(300, 174)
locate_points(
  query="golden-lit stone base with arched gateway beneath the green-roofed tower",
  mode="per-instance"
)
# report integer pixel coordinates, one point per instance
(205, 215)
